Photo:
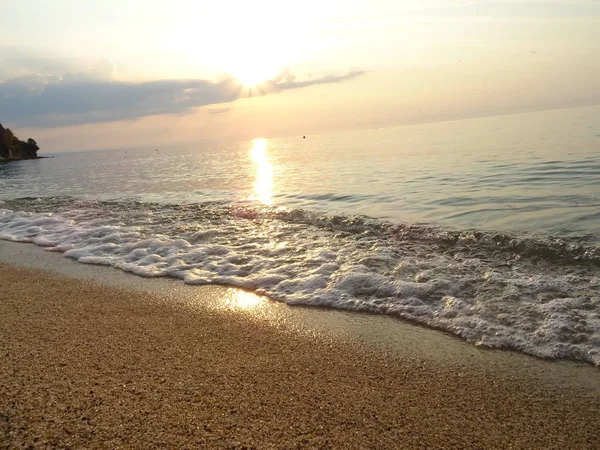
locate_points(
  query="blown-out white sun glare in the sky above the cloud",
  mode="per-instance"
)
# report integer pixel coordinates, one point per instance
(262, 38)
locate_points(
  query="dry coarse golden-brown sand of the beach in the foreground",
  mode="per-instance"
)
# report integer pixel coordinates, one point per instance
(86, 365)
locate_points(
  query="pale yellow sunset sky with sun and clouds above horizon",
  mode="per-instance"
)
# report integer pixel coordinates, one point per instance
(78, 75)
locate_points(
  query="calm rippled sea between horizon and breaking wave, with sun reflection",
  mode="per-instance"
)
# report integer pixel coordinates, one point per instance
(537, 172)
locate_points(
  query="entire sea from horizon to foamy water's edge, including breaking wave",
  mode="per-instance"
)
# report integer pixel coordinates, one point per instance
(487, 228)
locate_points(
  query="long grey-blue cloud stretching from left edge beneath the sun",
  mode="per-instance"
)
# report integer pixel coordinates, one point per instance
(97, 96)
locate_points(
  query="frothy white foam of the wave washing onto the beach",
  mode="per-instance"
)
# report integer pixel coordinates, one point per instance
(549, 311)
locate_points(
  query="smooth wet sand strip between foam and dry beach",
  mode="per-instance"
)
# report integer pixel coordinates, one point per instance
(375, 330)
